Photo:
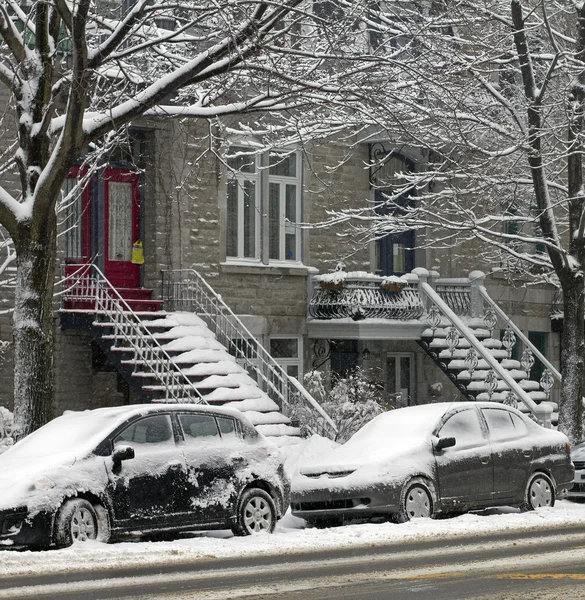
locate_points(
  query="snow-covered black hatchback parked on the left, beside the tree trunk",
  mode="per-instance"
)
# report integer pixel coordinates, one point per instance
(112, 472)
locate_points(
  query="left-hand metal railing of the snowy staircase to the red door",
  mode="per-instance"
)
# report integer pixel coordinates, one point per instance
(87, 282)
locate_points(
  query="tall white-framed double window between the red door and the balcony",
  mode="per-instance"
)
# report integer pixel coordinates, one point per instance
(251, 218)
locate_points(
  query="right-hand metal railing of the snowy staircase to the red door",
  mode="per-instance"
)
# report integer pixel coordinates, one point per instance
(186, 289)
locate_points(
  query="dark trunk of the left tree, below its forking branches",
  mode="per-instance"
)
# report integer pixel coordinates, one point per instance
(33, 325)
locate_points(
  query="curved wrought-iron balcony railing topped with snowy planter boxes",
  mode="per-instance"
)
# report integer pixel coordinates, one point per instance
(363, 295)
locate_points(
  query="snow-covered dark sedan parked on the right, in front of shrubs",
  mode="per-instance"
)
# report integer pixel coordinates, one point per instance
(439, 458)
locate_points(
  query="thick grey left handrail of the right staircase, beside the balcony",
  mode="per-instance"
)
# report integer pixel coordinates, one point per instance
(542, 412)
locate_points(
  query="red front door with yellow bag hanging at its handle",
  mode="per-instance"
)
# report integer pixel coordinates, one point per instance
(121, 227)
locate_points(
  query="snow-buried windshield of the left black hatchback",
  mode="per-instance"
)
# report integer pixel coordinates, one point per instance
(77, 432)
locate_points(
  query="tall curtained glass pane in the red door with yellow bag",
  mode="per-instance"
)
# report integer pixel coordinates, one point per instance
(120, 220)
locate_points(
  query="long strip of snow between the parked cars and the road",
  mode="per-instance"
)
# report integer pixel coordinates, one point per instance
(289, 538)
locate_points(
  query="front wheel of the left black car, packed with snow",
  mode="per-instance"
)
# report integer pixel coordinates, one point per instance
(79, 521)
